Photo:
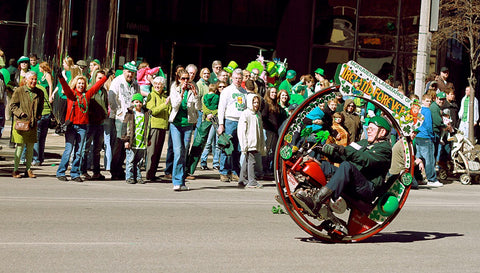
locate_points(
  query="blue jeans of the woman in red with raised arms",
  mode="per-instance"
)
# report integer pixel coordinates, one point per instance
(74, 142)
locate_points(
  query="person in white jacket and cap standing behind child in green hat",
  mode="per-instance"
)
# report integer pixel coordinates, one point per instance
(120, 96)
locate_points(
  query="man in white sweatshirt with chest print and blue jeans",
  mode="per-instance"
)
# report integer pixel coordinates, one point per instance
(231, 105)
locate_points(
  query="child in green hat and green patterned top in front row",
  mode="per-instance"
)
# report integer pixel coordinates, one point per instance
(135, 138)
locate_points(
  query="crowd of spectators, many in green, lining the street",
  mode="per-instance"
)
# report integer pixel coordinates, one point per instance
(236, 115)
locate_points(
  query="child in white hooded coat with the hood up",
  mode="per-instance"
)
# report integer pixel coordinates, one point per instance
(252, 141)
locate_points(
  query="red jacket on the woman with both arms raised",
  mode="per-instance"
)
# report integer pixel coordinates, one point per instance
(80, 115)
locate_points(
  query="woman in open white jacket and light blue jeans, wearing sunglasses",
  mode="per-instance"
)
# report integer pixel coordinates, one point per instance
(185, 105)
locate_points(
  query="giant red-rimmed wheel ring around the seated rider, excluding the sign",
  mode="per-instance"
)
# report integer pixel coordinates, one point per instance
(356, 222)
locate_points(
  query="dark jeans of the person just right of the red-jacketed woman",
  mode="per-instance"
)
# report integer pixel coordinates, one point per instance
(94, 140)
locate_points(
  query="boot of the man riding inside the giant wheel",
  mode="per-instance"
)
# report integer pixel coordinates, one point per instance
(311, 200)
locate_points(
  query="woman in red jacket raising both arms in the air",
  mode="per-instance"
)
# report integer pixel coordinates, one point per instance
(78, 101)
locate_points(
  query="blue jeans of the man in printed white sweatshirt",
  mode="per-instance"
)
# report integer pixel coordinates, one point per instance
(231, 163)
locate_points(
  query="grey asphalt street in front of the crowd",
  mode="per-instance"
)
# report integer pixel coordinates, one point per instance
(110, 226)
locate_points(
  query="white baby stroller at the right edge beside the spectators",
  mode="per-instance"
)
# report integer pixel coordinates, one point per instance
(465, 160)
